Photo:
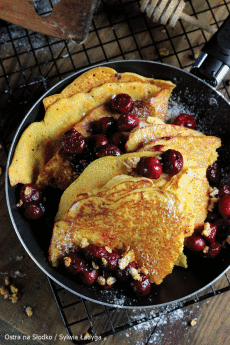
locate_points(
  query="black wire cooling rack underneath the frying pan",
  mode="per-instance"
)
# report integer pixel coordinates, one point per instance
(31, 63)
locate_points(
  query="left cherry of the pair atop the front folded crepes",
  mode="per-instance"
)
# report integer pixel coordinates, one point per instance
(149, 167)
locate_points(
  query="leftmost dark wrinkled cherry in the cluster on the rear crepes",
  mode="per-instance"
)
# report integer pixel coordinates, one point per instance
(73, 142)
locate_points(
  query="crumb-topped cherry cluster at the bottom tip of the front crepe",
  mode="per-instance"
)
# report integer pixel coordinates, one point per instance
(107, 265)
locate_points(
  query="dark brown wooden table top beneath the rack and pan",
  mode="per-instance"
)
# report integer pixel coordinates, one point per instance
(117, 37)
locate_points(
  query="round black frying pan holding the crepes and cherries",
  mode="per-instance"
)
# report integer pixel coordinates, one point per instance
(211, 110)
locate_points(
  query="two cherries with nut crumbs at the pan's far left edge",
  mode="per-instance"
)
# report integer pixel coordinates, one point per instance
(31, 197)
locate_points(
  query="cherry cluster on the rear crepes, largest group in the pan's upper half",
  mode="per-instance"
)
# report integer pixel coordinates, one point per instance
(107, 135)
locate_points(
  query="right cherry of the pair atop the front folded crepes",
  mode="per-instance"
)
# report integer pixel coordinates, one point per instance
(172, 162)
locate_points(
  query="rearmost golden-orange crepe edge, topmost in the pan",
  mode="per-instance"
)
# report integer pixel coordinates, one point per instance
(101, 75)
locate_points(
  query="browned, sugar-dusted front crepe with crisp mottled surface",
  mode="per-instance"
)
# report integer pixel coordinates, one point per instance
(152, 222)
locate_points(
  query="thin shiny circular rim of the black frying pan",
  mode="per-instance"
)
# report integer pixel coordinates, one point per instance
(55, 275)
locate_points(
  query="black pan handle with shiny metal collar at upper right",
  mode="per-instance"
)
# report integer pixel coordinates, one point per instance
(214, 61)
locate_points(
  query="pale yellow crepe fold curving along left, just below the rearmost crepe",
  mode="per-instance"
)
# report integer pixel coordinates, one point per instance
(41, 140)
